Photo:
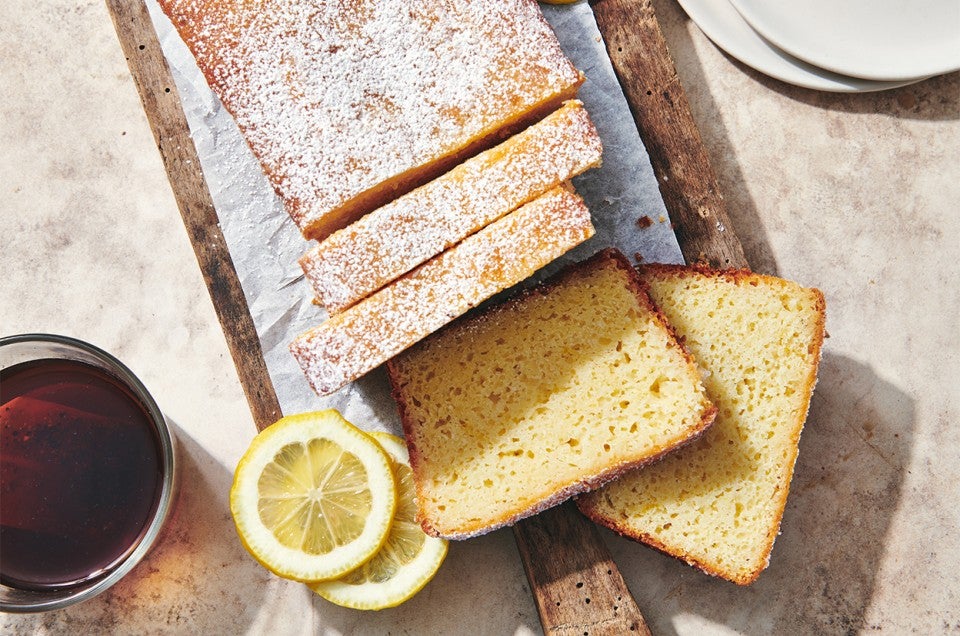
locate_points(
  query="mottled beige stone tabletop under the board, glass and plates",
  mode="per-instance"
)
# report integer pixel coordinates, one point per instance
(855, 194)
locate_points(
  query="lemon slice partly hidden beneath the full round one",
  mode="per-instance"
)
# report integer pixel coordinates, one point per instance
(406, 562)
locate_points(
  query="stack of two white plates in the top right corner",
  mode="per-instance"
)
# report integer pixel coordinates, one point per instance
(831, 45)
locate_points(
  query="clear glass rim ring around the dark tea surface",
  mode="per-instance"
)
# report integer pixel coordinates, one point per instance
(38, 601)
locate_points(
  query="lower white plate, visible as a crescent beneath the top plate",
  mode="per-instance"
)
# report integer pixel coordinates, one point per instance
(720, 22)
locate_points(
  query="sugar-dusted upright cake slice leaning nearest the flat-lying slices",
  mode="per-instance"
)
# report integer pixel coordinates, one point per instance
(507, 251)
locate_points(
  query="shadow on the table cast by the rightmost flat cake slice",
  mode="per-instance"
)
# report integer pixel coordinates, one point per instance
(854, 453)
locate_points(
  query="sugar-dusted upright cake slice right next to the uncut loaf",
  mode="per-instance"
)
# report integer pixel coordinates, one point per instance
(392, 240)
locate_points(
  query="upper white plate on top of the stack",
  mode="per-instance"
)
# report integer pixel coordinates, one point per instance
(884, 40)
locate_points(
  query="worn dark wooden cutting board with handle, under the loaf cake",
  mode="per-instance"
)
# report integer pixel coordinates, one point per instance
(575, 583)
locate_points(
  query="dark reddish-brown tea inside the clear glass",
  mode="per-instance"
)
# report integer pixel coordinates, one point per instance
(81, 473)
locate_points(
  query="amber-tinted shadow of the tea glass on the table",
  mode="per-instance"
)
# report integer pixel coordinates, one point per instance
(197, 578)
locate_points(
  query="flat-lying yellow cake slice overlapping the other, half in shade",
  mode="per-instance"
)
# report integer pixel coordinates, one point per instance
(553, 393)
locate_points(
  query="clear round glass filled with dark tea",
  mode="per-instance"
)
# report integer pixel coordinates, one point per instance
(87, 471)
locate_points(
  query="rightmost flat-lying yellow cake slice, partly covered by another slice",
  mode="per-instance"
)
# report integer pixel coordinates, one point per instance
(717, 503)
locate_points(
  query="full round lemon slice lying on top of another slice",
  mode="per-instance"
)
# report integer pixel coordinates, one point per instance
(313, 497)
